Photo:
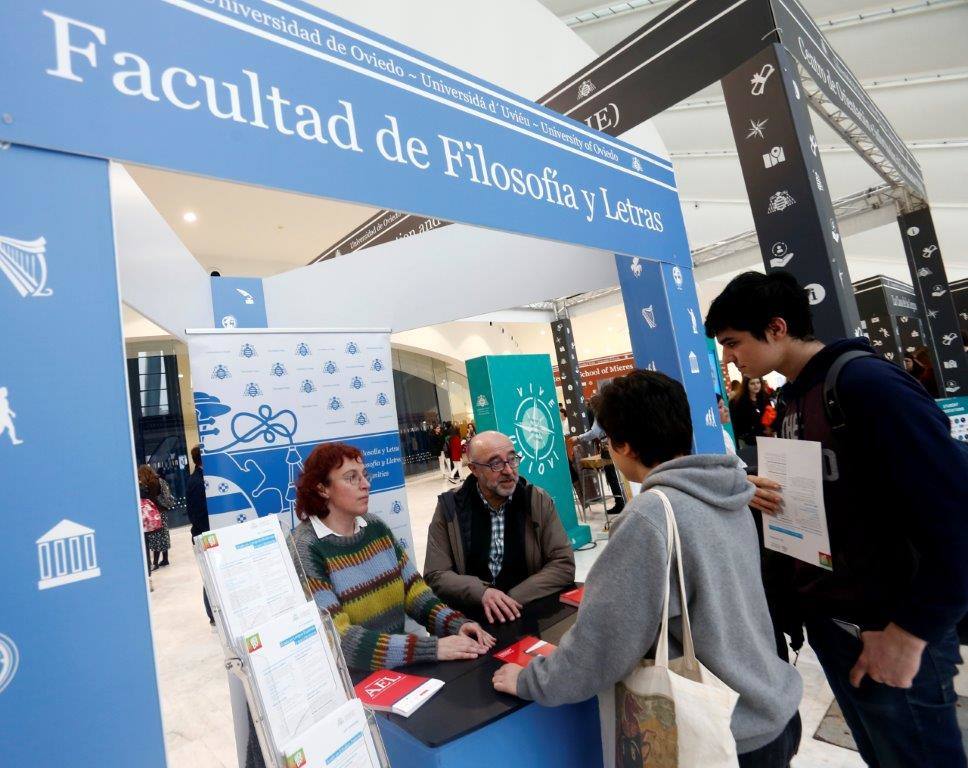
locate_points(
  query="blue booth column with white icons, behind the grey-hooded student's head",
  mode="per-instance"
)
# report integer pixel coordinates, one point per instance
(667, 335)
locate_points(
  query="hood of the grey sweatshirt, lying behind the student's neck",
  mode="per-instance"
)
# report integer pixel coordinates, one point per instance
(718, 481)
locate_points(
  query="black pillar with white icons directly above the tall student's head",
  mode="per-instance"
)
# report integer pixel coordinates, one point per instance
(788, 192)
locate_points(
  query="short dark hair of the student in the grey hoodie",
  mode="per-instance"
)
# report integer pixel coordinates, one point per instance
(649, 412)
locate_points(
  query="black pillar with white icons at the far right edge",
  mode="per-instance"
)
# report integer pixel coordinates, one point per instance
(943, 335)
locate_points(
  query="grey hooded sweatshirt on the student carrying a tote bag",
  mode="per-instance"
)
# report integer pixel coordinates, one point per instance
(618, 621)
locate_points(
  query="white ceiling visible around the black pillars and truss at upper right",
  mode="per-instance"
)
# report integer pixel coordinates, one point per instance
(914, 63)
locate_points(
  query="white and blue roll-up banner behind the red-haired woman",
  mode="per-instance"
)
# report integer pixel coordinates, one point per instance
(265, 400)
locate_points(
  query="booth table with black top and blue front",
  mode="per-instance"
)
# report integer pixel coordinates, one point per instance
(469, 724)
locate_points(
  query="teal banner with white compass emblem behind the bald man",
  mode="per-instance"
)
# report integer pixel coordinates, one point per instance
(515, 394)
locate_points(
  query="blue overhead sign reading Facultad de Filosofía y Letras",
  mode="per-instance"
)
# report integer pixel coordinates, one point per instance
(282, 94)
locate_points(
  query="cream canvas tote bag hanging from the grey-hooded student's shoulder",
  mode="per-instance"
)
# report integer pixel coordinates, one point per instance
(669, 714)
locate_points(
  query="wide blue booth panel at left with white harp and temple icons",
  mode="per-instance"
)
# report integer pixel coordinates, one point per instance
(77, 671)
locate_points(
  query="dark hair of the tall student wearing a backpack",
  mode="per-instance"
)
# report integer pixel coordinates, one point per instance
(751, 300)
